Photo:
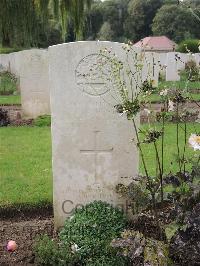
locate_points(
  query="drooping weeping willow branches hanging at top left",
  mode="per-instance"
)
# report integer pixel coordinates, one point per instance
(22, 22)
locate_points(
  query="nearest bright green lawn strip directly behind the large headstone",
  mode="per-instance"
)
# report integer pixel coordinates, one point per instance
(25, 163)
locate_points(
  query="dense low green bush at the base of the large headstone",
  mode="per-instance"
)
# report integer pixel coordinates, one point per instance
(92, 228)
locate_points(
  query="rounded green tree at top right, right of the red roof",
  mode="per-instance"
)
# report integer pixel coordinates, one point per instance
(176, 22)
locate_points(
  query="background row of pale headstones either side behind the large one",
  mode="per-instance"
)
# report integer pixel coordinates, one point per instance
(32, 69)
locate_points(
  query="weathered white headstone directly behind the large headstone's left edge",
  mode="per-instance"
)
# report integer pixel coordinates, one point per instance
(34, 82)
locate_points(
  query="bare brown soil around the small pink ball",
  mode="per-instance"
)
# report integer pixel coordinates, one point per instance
(23, 228)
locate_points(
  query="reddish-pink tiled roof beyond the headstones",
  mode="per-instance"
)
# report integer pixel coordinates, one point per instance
(156, 43)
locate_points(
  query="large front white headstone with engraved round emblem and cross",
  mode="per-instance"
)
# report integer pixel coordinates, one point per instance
(92, 148)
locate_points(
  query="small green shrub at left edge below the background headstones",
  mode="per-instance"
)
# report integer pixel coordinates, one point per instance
(8, 83)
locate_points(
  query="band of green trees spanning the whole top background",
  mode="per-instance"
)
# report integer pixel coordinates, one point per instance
(40, 23)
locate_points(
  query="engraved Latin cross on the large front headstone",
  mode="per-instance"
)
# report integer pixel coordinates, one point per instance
(96, 151)
